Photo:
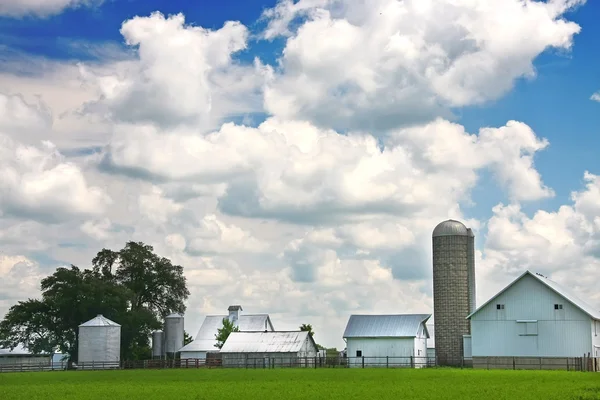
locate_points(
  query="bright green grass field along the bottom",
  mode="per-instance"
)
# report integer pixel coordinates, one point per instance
(291, 384)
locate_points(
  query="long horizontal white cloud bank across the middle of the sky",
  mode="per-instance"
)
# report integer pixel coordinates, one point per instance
(295, 171)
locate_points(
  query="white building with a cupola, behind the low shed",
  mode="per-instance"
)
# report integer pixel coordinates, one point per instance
(205, 340)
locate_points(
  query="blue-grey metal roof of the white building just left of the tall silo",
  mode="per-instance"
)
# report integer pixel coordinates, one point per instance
(399, 325)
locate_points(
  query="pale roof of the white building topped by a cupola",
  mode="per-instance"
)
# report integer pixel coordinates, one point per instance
(205, 338)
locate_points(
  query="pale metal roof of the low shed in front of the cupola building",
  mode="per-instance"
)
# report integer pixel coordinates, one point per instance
(265, 342)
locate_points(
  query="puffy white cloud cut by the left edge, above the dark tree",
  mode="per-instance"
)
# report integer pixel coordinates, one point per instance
(37, 182)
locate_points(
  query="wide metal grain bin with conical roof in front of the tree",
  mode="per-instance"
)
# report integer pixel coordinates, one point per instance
(99, 343)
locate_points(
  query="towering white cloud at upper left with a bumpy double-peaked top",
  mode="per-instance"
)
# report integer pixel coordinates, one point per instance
(184, 75)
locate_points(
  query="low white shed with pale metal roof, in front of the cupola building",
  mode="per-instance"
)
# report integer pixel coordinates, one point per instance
(269, 349)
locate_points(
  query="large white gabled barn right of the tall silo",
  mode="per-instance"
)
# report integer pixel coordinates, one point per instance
(534, 317)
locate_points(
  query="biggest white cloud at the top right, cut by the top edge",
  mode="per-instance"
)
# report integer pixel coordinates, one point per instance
(373, 65)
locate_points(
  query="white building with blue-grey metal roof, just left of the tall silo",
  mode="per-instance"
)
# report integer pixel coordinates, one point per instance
(387, 340)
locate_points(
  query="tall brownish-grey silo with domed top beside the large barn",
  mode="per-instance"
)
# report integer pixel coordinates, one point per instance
(453, 288)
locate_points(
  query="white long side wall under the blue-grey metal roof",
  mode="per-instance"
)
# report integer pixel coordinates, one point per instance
(376, 351)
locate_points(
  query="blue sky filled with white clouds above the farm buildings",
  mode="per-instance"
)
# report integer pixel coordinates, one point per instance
(295, 156)
